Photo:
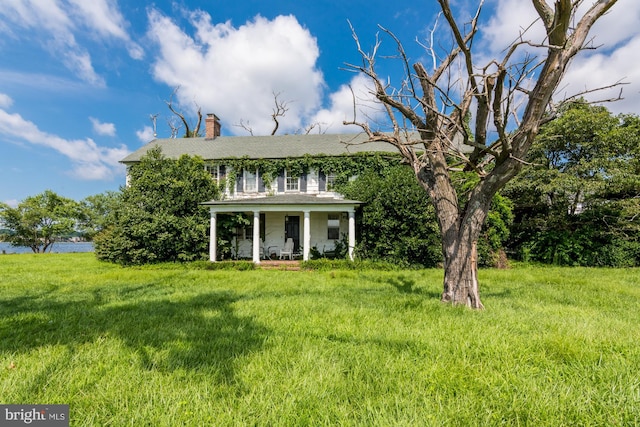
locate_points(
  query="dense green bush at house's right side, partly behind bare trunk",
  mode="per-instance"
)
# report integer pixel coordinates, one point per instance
(394, 225)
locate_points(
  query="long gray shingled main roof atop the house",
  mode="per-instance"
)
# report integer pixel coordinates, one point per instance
(263, 147)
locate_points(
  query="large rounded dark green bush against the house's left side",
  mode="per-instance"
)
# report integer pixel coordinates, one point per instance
(158, 217)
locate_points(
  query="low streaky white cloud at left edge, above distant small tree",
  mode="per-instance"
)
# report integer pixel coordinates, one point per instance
(90, 161)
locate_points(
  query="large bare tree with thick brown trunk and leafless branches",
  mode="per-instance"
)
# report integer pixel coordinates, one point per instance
(494, 109)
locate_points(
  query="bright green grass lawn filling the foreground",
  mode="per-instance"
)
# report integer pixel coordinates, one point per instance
(173, 346)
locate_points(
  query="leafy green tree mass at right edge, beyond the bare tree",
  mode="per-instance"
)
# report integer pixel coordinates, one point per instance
(579, 201)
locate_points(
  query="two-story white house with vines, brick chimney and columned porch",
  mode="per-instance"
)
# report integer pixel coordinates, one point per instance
(283, 183)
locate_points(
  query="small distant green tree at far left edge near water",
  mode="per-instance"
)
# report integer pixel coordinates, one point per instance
(39, 221)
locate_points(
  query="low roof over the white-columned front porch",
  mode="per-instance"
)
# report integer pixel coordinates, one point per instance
(281, 203)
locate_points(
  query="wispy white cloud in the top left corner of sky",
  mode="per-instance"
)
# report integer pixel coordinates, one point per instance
(56, 23)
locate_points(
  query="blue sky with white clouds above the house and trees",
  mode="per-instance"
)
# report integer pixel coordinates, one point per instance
(80, 79)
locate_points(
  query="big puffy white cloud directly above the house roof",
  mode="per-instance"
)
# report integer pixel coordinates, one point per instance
(234, 72)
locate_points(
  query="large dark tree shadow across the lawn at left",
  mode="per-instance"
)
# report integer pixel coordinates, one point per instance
(166, 333)
